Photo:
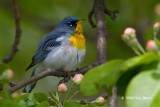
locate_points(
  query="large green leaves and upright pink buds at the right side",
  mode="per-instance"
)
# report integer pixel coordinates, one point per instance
(137, 78)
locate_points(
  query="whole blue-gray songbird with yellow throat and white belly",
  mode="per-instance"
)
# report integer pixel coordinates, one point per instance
(62, 49)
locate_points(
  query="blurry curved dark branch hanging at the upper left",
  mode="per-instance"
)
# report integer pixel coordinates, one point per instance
(14, 47)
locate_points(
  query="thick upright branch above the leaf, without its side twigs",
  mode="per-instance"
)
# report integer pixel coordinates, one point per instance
(101, 30)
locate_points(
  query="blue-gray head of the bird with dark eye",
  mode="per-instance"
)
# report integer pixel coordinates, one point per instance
(68, 24)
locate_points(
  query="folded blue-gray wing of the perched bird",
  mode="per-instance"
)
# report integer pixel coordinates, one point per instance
(43, 50)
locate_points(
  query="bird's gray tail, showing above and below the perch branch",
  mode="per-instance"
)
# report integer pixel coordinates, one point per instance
(29, 87)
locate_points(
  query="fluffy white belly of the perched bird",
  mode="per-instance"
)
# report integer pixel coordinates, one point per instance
(64, 58)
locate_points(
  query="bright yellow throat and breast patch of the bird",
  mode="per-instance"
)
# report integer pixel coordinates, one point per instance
(77, 39)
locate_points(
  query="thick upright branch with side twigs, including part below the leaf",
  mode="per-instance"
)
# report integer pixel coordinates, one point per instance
(99, 10)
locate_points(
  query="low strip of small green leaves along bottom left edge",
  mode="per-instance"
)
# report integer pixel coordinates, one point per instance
(38, 99)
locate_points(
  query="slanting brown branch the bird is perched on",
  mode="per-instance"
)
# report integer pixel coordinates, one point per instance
(49, 72)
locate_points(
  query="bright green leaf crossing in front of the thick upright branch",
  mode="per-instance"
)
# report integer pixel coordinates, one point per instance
(94, 76)
